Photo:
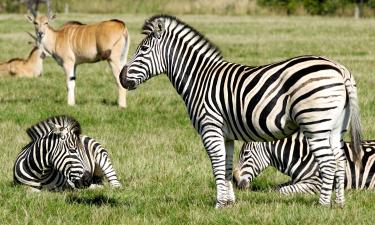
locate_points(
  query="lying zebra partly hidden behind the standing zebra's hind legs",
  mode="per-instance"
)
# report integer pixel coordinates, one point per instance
(292, 157)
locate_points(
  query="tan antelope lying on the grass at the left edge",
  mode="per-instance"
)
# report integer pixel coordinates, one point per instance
(30, 67)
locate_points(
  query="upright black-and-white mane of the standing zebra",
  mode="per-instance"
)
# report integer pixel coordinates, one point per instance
(148, 28)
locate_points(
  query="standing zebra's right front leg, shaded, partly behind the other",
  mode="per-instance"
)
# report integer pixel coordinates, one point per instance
(229, 148)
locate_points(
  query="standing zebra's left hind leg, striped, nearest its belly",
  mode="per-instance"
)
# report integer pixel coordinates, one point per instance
(321, 148)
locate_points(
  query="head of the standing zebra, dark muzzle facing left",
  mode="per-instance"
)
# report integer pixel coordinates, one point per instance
(147, 60)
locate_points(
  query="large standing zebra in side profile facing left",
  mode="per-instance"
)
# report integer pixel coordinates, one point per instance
(228, 101)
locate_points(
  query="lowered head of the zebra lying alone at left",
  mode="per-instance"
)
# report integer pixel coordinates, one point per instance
(69, 156)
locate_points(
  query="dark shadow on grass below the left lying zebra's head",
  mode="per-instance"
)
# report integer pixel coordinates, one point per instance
(97, 200)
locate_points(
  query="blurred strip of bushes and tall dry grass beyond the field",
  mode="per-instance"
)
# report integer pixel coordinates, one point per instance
(220, 7)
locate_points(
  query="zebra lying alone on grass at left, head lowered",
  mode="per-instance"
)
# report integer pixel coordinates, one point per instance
(59, 157)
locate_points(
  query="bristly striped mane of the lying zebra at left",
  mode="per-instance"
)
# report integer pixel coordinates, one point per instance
(43, 128)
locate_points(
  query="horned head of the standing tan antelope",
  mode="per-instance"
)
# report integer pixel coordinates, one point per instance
(41, 22)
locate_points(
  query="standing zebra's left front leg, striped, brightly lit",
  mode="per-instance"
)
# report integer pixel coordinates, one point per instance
(213, 142)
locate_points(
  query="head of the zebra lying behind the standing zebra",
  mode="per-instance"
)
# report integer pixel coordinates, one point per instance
(253, 159)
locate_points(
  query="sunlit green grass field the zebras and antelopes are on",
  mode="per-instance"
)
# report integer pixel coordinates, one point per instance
(158, 156)
